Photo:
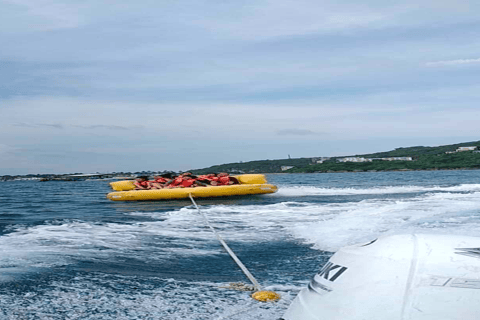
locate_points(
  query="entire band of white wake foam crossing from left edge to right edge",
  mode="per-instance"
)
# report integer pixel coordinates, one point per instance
(326, 226)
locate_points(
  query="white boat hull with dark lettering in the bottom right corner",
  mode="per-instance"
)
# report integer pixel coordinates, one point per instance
(402, 277)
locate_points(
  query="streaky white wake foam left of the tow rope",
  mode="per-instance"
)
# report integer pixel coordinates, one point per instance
(58, 244)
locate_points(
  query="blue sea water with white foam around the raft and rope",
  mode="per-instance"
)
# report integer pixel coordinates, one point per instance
(66, 252)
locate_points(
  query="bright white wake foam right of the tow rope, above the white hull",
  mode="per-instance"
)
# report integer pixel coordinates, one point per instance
(331, 226)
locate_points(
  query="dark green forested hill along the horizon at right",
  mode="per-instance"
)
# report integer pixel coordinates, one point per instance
(425, 158)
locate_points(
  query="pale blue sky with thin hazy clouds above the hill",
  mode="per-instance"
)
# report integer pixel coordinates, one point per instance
(123, 86)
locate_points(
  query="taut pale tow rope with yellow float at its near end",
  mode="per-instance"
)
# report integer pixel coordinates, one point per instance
(258, 295)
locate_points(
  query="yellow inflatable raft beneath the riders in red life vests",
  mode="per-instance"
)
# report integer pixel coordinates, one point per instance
(249, 184)
